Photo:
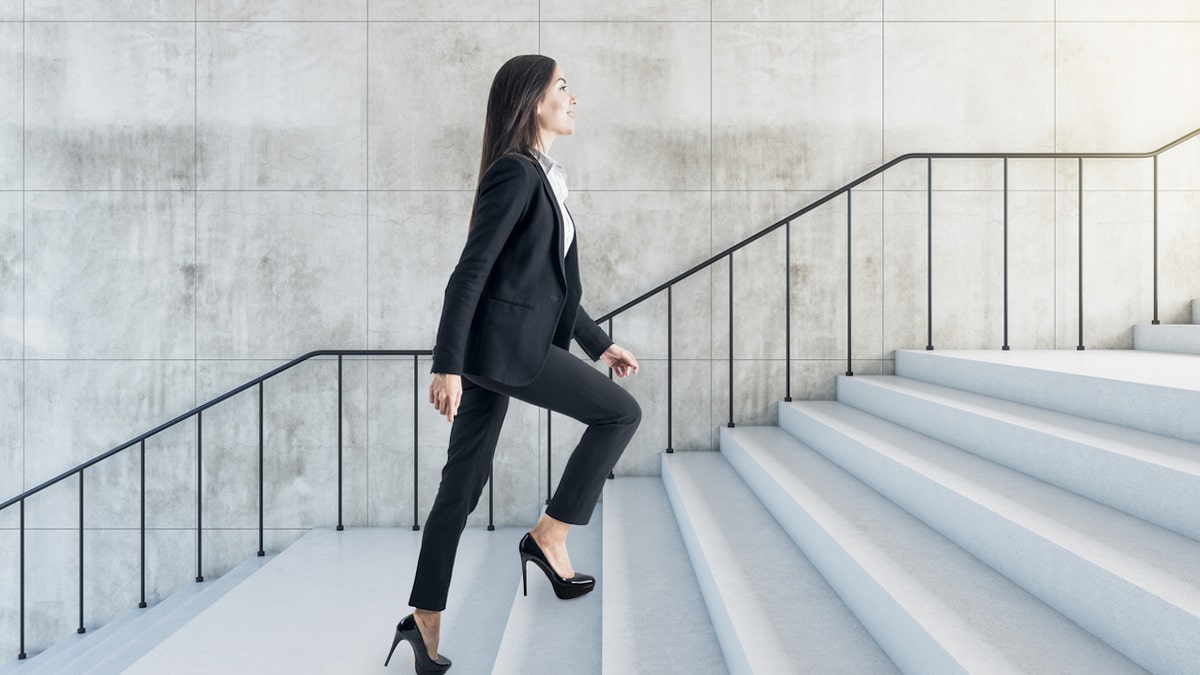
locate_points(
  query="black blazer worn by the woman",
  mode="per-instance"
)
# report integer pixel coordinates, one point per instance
(513, 296)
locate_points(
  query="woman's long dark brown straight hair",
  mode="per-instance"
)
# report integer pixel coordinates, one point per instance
(512, 123)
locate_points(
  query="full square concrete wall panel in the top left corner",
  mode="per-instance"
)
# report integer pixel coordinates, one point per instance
(110, 106)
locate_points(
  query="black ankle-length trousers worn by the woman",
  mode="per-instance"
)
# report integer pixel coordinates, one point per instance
(567, 386)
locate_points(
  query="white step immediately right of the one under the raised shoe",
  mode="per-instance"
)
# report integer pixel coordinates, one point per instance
(655, 616)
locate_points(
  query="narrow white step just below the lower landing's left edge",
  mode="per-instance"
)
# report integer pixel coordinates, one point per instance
(125, 649)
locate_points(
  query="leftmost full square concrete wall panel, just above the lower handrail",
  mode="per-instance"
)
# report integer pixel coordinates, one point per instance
(142, 244)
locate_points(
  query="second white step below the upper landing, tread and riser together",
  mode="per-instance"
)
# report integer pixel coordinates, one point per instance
(1129, 582)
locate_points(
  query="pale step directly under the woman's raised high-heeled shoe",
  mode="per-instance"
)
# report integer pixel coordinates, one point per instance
(545, 636)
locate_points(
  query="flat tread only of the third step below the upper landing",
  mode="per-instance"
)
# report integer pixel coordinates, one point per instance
(982, 619)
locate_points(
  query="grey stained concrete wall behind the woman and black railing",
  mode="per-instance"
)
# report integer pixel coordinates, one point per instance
(193, 193)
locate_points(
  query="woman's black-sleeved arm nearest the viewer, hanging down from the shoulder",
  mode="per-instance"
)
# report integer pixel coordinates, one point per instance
(505, 194)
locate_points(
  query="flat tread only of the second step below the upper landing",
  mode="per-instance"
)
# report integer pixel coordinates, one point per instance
(1154, 558)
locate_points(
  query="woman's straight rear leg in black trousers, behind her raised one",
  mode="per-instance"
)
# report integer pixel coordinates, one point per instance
(473, 438)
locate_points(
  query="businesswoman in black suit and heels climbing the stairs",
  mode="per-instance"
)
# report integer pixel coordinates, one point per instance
(512, 308)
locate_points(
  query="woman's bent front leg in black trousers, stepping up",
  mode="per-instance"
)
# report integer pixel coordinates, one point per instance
(572, 387)
